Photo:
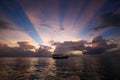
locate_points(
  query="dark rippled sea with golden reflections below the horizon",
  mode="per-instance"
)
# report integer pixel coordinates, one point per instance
(88, 67)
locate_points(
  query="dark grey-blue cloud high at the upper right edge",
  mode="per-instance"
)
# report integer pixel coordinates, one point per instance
(108, 20)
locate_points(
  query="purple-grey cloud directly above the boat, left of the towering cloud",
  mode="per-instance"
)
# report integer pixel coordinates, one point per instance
(66, 46)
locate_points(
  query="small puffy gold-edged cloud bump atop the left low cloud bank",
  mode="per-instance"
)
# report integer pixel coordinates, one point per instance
(25, 45)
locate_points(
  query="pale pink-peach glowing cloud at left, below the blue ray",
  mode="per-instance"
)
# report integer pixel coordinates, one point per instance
(13, 36)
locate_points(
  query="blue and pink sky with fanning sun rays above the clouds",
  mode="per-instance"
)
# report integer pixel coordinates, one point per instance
(42, 21)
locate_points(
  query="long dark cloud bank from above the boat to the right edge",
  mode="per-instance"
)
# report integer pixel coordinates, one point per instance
(98, 44)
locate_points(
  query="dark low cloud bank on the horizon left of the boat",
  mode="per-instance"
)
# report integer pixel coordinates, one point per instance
(22, 50)
